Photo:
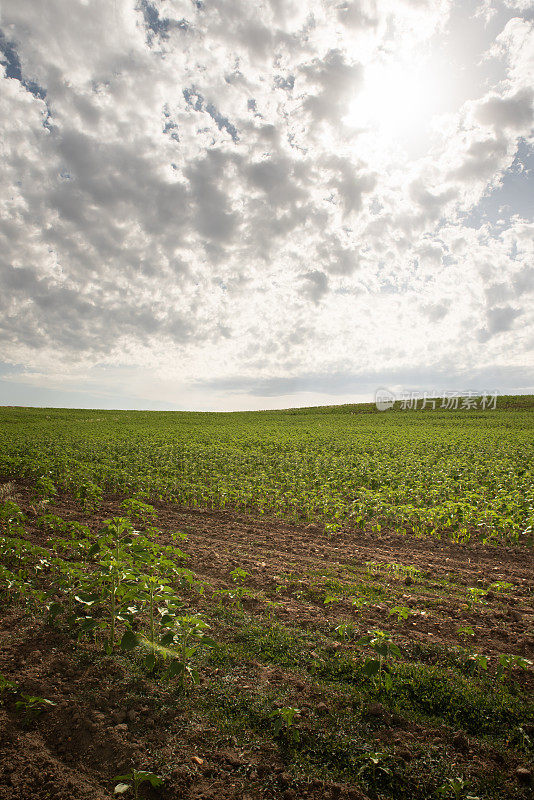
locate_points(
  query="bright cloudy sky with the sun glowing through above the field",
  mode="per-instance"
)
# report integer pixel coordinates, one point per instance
(226, 204)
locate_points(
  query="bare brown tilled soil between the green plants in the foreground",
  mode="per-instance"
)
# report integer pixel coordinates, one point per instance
(105, 720)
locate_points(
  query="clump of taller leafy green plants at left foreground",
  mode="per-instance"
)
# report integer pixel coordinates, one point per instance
(120, 587)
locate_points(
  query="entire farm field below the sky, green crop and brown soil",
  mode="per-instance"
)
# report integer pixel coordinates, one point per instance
(330, 602)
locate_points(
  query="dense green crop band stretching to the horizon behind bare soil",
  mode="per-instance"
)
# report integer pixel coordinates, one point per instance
(456, 474)
